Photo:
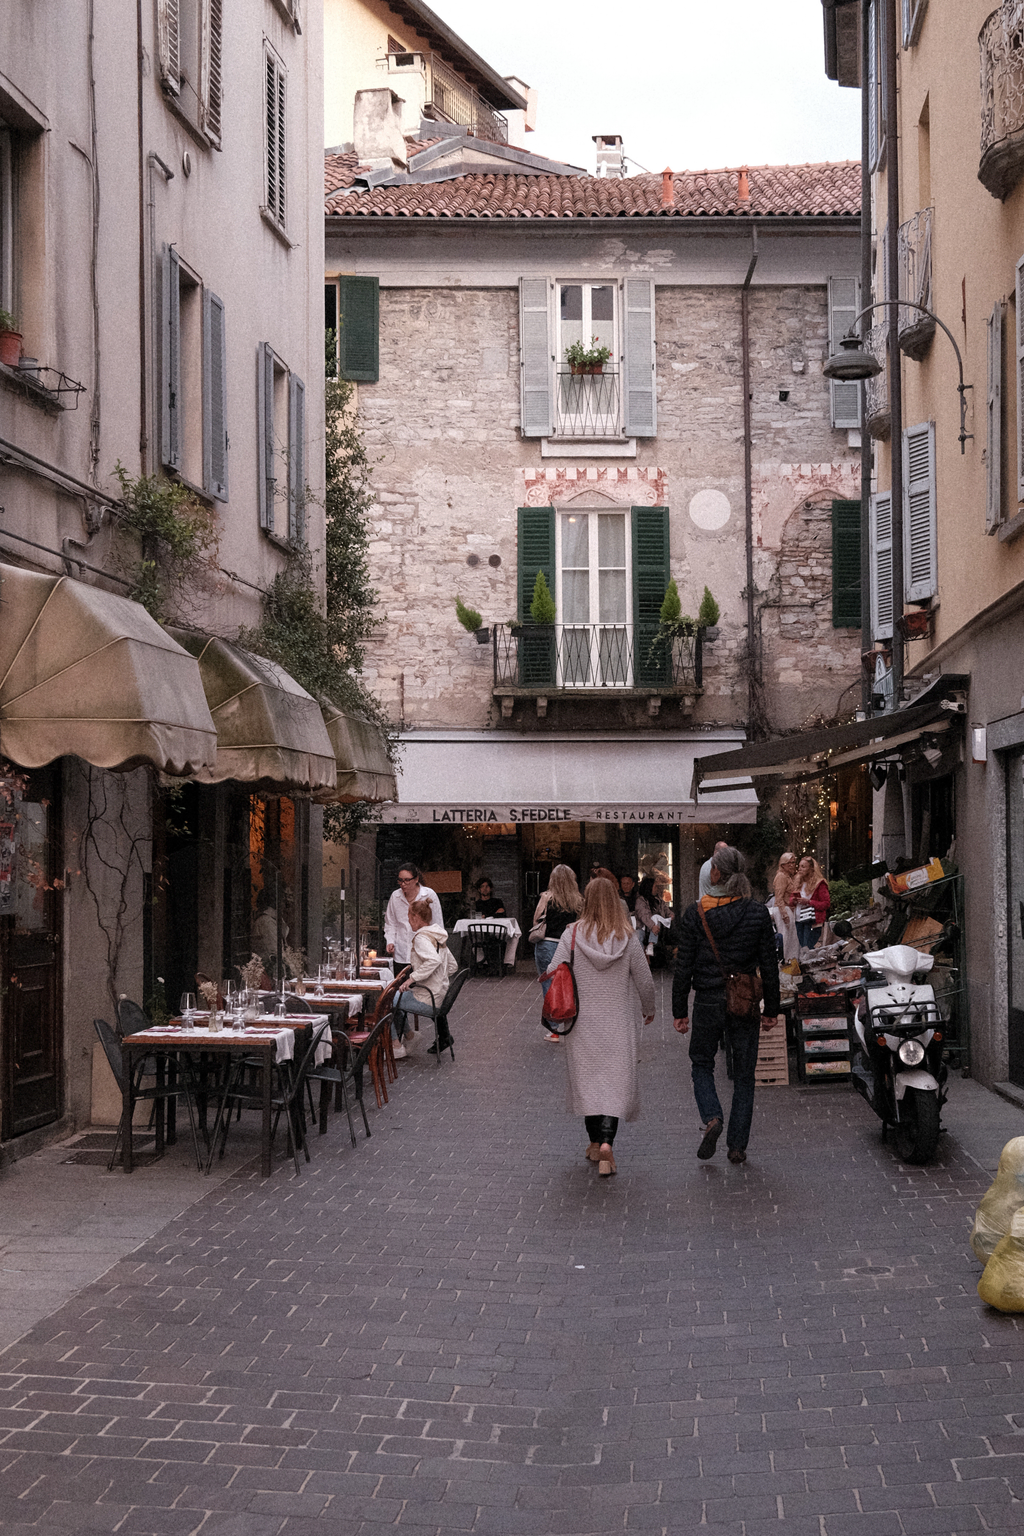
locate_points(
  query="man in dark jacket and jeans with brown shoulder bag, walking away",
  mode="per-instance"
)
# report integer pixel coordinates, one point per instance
(745, 938)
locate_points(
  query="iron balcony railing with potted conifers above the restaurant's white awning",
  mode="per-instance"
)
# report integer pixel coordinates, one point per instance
(606, 658)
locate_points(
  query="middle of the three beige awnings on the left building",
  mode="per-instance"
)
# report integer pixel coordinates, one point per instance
(269, 732)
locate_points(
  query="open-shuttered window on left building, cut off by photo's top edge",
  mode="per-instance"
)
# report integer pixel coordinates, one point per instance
(190, 42)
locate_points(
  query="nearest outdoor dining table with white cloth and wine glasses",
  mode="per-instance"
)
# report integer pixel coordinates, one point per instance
(269, 1039)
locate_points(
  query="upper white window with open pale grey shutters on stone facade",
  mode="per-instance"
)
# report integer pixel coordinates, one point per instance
(570, 397)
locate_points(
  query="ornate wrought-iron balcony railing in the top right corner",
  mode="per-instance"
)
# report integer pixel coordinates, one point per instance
(1002, 42)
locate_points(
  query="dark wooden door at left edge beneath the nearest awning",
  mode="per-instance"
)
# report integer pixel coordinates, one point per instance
(30, 956)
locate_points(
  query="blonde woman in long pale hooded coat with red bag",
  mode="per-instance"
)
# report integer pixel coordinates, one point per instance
(616, 991)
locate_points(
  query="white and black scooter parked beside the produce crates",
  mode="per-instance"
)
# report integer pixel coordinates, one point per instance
(900, 1068)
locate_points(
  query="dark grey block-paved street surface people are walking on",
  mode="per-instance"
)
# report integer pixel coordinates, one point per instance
(460, 1328)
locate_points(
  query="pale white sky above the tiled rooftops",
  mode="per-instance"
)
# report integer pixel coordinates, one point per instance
(687, 84)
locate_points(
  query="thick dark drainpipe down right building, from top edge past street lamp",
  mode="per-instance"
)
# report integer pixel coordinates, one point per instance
(896, 368)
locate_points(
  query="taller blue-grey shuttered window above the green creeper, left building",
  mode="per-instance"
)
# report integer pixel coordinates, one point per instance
(193, 379)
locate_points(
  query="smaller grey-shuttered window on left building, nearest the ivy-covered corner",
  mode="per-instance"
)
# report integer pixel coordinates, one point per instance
(280, 446)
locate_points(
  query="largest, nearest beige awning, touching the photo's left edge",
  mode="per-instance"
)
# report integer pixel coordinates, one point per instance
(85, 674)
